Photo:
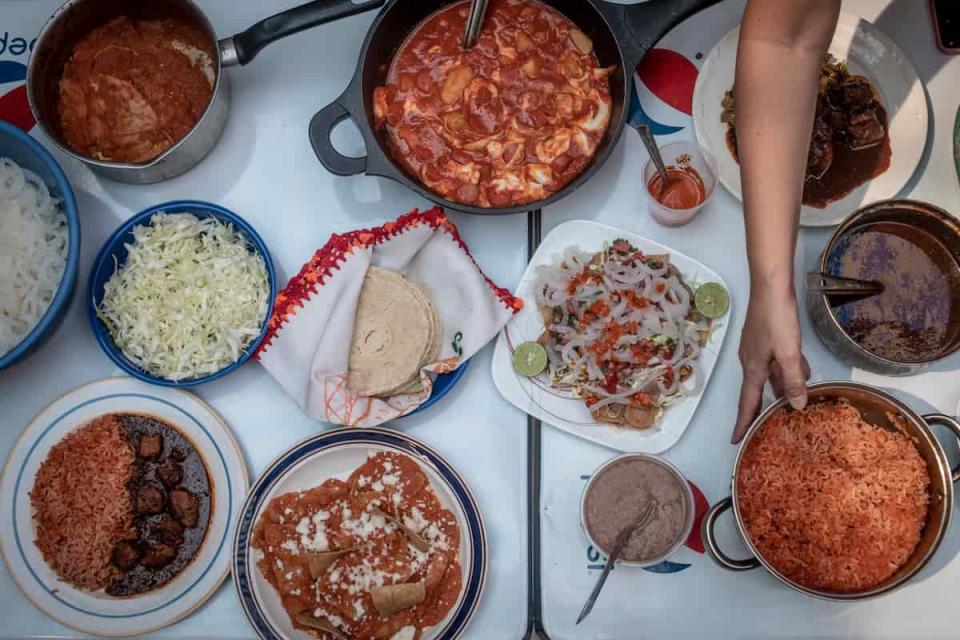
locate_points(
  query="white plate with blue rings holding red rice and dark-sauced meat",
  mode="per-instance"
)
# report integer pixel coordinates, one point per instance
(119, 500)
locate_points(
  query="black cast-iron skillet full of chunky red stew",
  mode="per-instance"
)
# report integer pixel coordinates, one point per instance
(521, 120)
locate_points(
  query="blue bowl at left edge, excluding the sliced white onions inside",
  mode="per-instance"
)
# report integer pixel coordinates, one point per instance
(30, 154)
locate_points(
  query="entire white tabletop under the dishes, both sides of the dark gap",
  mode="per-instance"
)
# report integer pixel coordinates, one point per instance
(265, 170)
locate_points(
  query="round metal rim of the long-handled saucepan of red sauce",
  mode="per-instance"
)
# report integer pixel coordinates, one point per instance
(59, 14)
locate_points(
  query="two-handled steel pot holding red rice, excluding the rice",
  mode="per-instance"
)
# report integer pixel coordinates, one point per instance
(875, 406)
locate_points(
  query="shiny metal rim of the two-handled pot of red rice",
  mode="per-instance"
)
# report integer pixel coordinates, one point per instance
(890, 584)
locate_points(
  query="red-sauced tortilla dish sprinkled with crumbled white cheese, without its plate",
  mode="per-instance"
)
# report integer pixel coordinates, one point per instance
(339, 515)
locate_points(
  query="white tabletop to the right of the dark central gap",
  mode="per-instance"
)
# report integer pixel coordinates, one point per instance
(705, 601)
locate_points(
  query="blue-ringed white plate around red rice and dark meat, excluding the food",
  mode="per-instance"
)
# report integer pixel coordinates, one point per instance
(96, 612)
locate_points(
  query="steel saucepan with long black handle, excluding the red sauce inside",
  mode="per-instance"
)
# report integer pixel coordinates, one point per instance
(76, 18)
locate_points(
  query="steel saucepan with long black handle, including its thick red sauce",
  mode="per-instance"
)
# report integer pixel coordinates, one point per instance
(135, 90)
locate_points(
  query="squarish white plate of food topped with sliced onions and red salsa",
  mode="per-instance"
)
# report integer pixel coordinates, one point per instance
(639, 296)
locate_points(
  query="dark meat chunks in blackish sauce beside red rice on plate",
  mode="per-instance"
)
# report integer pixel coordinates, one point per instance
(171, 501)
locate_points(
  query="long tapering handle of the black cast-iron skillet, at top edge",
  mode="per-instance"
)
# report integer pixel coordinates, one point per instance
(637, 27)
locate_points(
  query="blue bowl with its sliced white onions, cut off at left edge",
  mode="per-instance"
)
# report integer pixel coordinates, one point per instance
(39, 244)
